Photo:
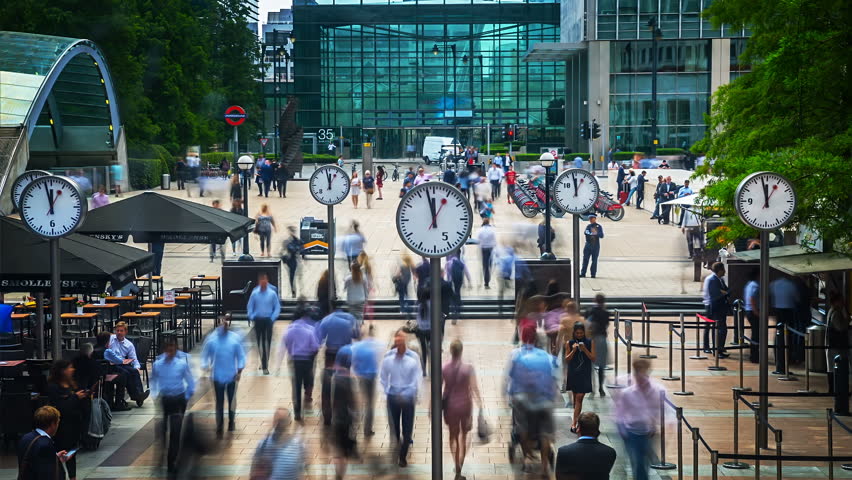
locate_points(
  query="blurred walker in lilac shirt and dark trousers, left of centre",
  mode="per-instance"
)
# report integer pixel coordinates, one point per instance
(300, 342)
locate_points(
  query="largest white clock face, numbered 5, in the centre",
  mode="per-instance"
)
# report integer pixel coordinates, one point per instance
(434, 219)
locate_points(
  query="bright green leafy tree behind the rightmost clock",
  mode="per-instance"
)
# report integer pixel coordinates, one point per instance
(790, 114)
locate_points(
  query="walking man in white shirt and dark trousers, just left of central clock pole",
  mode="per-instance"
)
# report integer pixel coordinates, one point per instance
(401, 382)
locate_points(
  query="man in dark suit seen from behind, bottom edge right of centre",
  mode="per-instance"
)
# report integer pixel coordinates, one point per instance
(587, 458)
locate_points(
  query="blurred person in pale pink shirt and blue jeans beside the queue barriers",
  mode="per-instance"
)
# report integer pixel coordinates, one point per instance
(638, 416)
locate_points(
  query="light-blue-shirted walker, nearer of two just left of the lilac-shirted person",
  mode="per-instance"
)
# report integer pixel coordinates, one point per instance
(224, 355)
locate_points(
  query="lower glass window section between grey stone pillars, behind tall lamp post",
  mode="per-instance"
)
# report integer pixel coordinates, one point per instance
(683, 92)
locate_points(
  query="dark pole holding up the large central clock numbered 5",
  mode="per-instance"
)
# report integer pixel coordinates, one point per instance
(435, 359)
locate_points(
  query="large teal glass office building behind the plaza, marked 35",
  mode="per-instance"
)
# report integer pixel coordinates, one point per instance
(392, 73)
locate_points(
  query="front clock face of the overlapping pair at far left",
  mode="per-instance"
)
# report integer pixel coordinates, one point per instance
(53, 206)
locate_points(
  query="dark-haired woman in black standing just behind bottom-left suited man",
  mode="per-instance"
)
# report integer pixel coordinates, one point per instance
(73, 405)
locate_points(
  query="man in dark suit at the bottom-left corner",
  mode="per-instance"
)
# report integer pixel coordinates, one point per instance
(37, 455)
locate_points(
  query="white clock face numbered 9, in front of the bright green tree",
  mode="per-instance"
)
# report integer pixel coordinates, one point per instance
(765, 200)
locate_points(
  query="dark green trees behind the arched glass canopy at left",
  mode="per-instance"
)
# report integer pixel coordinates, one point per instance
(176, 64)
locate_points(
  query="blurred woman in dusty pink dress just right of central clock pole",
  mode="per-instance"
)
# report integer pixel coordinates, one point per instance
(460, 389)
